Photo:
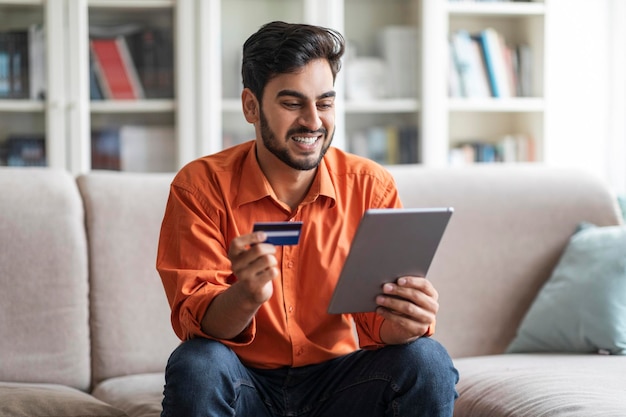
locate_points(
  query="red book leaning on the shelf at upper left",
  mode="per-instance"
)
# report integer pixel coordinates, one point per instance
(115, 69)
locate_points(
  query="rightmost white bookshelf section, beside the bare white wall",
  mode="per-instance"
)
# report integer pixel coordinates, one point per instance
(451, 121)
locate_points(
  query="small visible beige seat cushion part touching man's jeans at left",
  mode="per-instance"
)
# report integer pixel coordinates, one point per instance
(138, 395)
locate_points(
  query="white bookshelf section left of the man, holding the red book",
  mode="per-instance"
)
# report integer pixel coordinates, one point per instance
(67, 115)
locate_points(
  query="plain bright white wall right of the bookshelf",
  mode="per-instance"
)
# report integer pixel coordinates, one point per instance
(586, 129)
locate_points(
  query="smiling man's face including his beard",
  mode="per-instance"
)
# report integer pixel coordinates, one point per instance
(297, 116)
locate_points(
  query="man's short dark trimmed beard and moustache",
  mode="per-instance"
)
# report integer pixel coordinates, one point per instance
(272, 144)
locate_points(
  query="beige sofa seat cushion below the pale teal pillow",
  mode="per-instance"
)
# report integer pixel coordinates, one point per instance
(531, 385)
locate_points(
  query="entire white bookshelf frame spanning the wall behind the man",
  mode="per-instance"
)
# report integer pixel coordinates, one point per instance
(208, 34)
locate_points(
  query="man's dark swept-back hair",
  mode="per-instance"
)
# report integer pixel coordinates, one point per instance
(280, 48)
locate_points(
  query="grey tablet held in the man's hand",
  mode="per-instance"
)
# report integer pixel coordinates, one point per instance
(388, 244)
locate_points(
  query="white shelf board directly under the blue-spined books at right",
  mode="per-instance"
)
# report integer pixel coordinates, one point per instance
(498, 105)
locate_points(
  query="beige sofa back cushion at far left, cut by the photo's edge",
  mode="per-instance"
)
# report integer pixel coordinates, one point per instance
(43, 276)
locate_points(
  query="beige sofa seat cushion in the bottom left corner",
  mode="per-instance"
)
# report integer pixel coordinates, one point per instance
(34, 400)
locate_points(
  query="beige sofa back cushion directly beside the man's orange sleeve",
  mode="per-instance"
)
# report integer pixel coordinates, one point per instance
(130, 315)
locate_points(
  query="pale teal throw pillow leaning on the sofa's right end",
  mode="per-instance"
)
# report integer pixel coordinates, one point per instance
(582, 307)
